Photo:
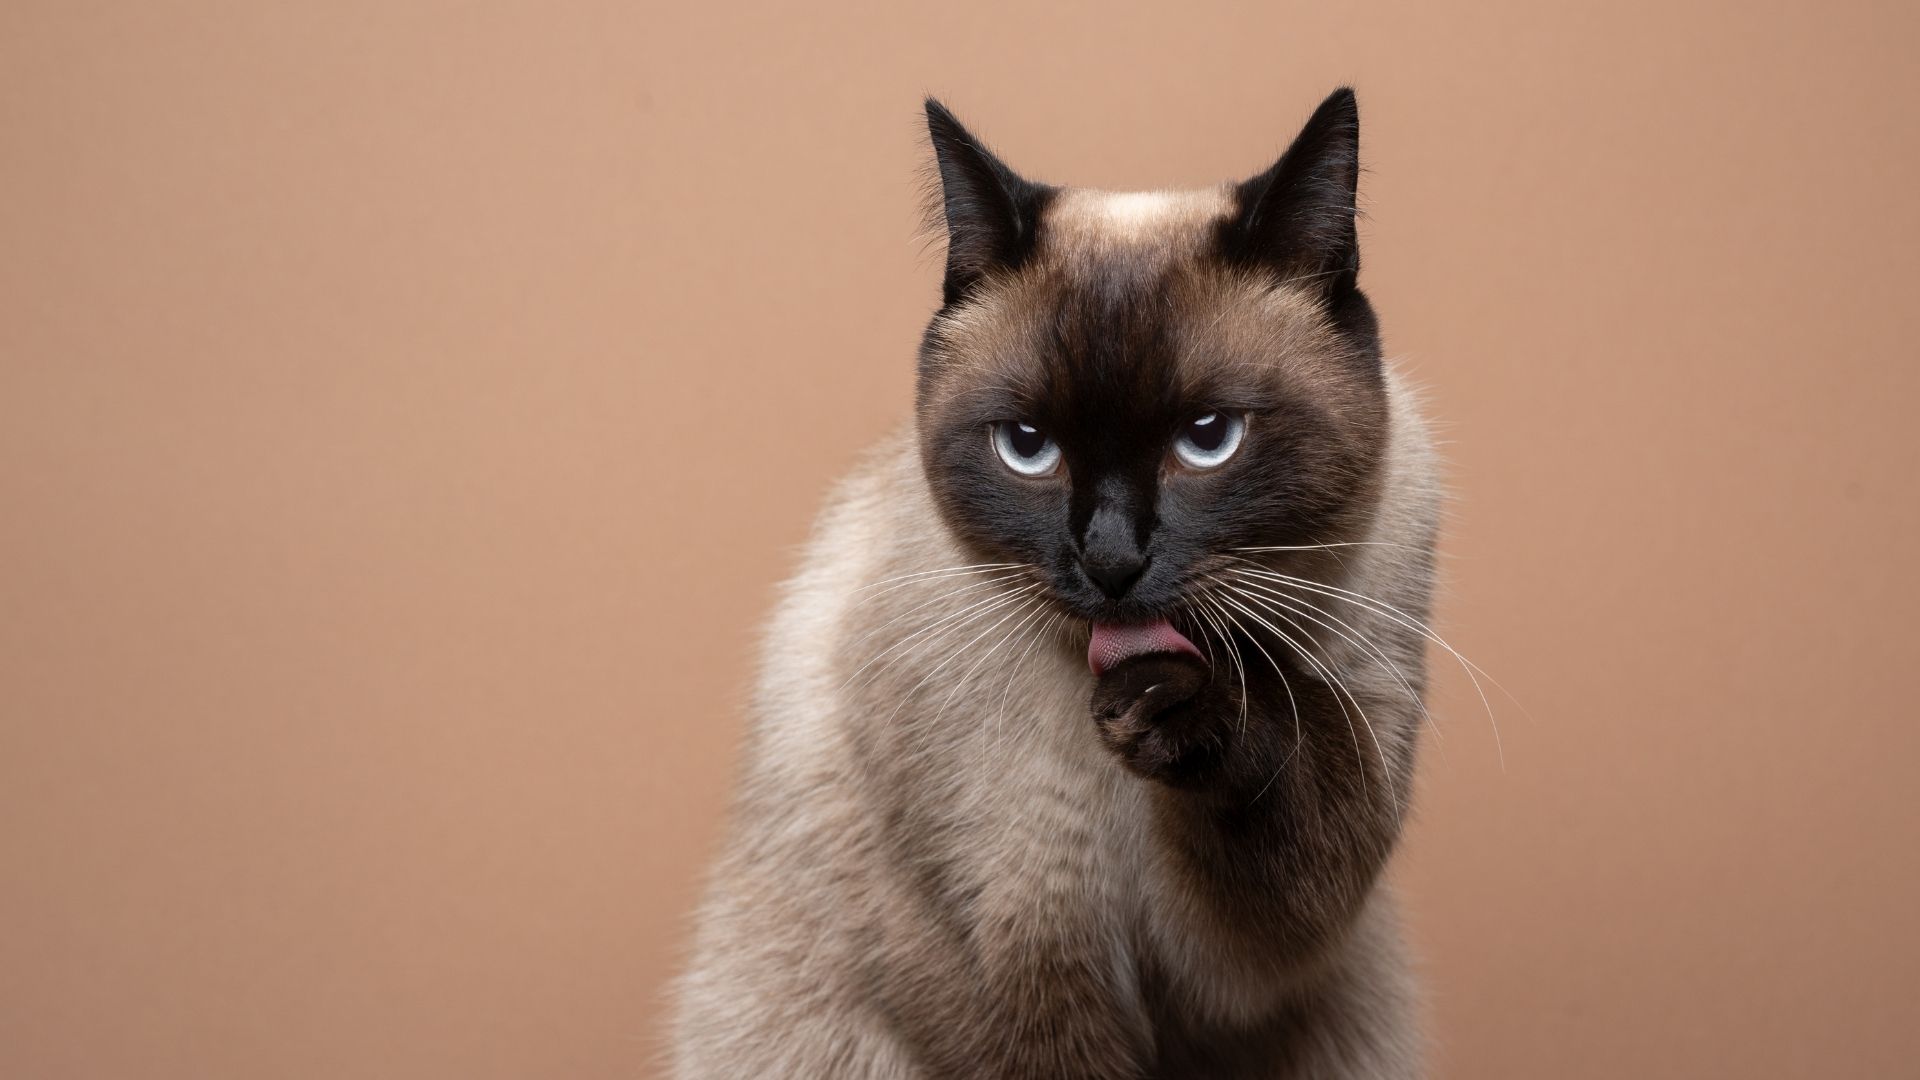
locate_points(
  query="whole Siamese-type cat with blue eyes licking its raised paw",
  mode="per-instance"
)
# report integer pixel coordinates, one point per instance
(1088, 725)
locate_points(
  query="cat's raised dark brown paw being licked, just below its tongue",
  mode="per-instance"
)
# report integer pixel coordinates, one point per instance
(1157, 714)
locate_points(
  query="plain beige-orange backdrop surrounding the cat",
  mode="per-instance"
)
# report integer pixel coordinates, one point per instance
(408, 410)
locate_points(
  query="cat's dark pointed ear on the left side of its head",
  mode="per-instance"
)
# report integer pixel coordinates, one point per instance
(992, 212)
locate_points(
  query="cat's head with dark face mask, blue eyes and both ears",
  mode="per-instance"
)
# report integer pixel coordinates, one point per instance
(1128, 389)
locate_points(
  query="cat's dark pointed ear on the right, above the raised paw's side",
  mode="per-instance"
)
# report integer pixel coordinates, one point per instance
(1297, 218)
